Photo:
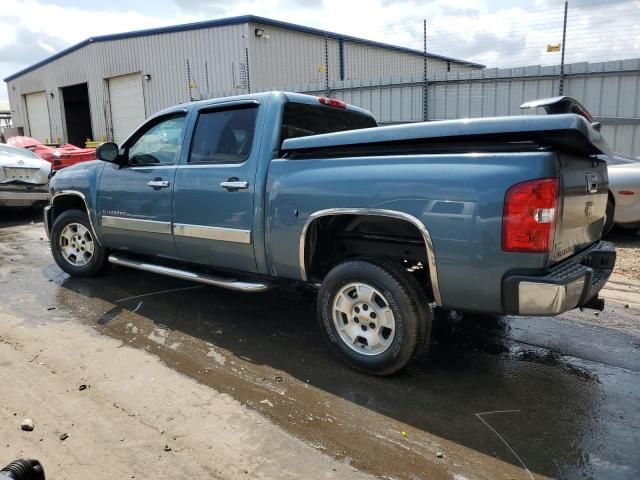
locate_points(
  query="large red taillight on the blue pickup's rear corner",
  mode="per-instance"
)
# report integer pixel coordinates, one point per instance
(529, 217)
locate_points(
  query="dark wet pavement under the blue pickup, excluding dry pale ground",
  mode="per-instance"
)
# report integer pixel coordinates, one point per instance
(497, 397)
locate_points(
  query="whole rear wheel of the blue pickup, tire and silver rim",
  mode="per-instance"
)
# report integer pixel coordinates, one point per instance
(354, 300)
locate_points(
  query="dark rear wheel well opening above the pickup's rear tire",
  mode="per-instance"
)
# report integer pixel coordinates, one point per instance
(333, 239)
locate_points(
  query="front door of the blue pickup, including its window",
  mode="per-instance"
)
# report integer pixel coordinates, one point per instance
(135, 198)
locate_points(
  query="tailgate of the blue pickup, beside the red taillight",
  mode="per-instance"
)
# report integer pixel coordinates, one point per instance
(584, 184)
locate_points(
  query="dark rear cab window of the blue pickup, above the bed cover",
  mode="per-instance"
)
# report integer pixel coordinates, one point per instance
(303, 119)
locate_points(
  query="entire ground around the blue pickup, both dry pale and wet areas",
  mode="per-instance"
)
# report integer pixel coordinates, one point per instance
(190, 381)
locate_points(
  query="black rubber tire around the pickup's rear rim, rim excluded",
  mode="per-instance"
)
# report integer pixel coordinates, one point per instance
(399, 292)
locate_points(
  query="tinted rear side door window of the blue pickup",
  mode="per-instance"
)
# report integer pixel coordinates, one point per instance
(223, 136)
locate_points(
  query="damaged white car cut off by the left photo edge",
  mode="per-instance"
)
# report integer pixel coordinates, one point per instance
(24, 177)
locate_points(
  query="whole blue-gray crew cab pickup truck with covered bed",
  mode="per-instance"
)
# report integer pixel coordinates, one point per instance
(494, 215)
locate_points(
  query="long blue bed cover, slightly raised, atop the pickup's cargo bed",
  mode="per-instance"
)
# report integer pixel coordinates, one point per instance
(570, 133)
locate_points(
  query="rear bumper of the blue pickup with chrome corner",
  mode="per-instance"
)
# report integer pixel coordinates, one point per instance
(570, 284)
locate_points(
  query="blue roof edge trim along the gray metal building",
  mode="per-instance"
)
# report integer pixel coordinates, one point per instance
(225, 22)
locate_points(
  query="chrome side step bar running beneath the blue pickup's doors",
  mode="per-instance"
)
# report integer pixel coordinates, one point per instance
(224, 282)
